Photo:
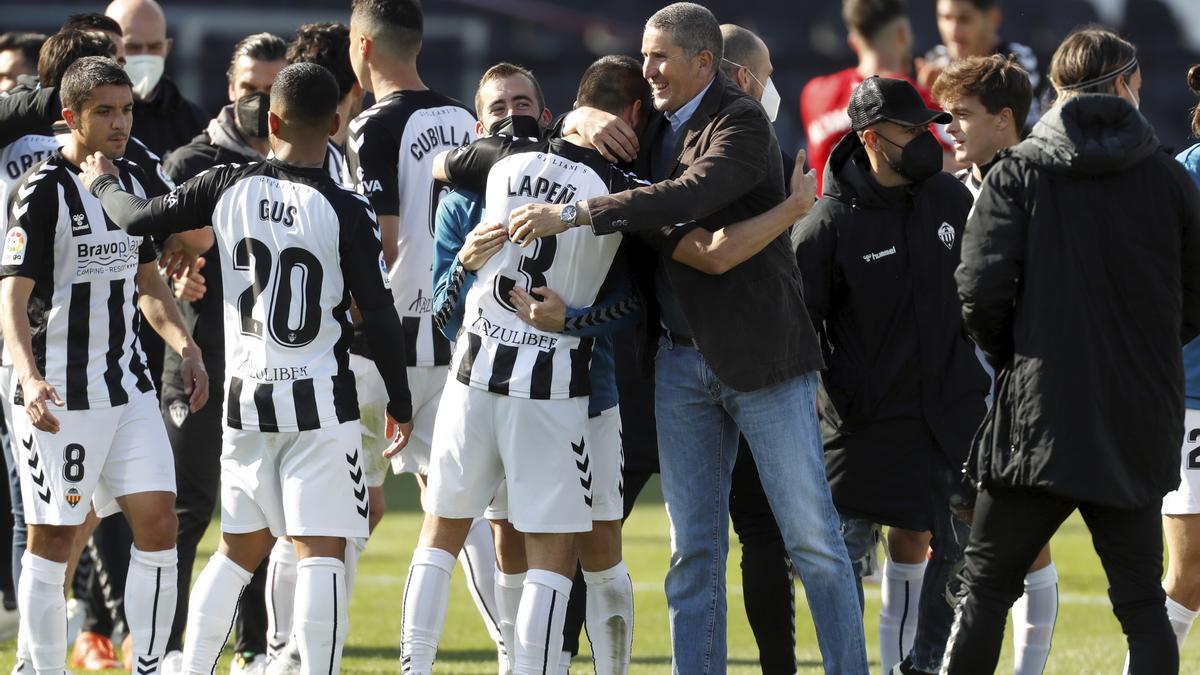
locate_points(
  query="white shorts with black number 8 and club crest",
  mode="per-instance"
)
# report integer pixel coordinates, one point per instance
(97, 457)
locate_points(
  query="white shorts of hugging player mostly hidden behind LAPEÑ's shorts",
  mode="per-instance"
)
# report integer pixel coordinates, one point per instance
(608, 464)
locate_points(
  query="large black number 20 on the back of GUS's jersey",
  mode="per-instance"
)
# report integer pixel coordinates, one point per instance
(293, 318)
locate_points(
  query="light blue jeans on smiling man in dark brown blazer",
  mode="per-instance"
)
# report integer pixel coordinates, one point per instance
(699, 421)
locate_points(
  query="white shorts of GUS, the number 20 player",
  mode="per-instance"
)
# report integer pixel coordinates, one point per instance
(296, 483)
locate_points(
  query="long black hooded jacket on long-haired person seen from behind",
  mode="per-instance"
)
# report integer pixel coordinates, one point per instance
(1081, 279)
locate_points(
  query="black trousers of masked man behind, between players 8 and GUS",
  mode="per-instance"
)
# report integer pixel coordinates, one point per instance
(196, 443)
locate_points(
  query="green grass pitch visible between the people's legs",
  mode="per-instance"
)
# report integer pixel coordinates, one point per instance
(1088, 638)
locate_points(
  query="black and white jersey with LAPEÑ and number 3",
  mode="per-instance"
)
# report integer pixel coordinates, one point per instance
(499, 351)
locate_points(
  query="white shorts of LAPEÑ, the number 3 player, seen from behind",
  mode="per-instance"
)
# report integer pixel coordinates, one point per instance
(539, 447)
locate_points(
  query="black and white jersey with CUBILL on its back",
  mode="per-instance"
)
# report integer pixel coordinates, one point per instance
(391, 153)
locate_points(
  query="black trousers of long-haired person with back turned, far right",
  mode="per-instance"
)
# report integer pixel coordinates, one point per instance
(1011, 528)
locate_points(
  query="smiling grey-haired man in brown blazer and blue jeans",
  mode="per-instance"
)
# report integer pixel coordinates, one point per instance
(737, 350)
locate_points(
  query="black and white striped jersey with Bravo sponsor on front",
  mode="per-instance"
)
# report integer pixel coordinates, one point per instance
(83, 309)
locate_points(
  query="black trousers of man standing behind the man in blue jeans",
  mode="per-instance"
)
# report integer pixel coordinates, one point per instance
(767, 586)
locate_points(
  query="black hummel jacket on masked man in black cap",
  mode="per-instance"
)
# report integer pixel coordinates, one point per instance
(904, 391)
